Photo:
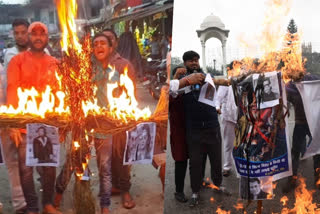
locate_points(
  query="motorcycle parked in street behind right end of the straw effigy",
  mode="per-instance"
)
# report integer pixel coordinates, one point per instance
(155, 76)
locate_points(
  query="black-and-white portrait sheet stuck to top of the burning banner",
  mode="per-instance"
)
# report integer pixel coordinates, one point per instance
(268, 88)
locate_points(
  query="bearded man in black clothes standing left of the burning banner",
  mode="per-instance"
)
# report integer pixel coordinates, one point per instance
(202, 130)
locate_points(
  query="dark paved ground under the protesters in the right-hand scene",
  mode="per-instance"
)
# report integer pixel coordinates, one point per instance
(227, 203)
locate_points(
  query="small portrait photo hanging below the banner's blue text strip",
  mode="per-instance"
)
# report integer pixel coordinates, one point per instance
(256, 188)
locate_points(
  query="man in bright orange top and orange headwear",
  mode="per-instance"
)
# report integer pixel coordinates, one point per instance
(33, 68)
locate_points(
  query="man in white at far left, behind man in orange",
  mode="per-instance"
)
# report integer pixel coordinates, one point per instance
(10, 150)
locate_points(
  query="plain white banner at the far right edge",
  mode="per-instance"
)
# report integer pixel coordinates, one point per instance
(310, 94)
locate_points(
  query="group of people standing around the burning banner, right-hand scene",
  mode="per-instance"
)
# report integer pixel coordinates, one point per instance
(195, 130)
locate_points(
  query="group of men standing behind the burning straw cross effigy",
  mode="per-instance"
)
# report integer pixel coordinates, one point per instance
(27, 65)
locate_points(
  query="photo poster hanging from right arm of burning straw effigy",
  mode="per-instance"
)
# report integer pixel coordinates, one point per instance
(140, 144)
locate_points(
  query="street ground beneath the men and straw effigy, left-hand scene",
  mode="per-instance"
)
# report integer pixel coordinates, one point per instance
(146, 186)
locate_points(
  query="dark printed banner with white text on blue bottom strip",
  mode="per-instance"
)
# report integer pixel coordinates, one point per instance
(261, 147)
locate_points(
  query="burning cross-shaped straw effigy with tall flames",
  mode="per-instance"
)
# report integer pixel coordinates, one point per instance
(71, 106)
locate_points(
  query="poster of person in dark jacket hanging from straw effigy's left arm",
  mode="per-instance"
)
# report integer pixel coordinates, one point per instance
(43, 146)
